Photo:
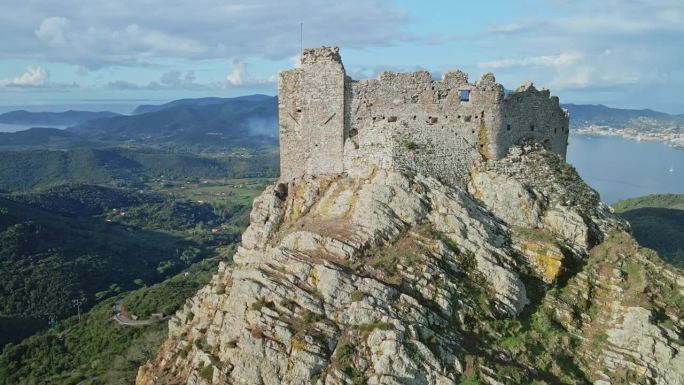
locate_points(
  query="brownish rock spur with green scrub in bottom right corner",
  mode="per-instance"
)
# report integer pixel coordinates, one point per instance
(627, 306)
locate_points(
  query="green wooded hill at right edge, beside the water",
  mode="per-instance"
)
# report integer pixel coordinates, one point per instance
(658, 223)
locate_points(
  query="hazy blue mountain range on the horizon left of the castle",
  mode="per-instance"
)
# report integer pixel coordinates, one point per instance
(242, 121)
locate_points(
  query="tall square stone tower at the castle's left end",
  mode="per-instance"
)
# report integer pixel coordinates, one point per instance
(312, 115)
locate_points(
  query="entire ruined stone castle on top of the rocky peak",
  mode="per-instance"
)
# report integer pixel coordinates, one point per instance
(330, 123)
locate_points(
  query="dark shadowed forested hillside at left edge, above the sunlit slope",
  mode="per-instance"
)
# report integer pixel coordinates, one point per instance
(49, 260)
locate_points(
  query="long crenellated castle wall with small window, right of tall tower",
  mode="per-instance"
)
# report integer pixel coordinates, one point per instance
(408, 121)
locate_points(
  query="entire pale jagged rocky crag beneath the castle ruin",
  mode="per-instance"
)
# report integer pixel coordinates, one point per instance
(377, 277)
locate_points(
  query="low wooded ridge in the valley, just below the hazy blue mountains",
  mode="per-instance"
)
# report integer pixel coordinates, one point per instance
(130, 167)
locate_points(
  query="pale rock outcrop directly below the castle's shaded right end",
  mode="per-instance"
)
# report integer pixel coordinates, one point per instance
(535, 189)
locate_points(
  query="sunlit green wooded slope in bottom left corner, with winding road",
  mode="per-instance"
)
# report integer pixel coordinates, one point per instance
(98, 350)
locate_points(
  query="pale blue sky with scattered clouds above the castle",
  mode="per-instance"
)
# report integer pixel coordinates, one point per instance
(622, 53)
